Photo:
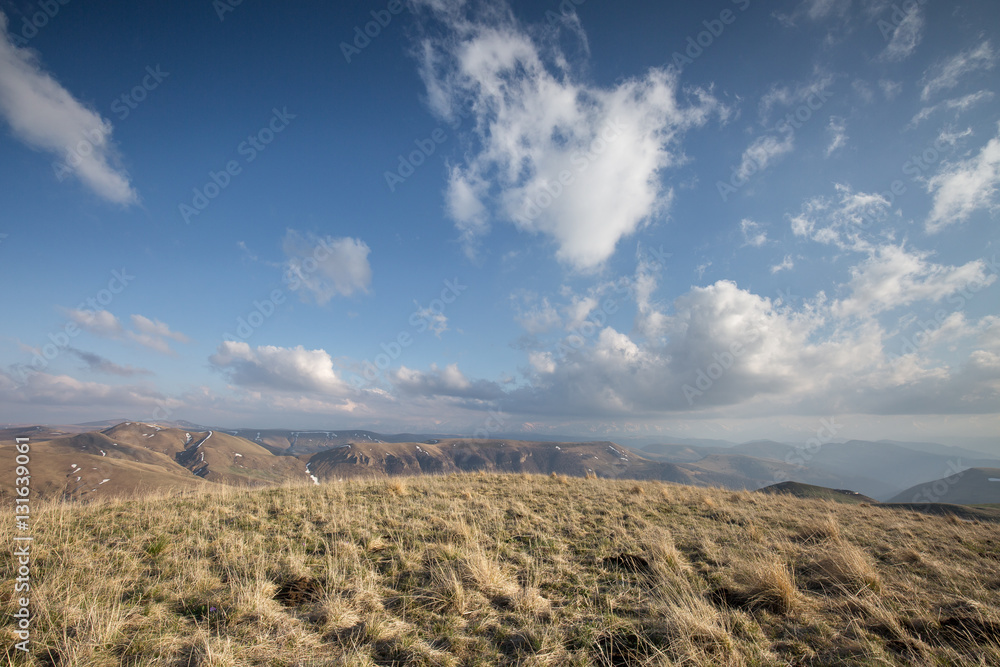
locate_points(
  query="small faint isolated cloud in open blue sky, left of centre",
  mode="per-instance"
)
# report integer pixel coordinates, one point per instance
(321, 268)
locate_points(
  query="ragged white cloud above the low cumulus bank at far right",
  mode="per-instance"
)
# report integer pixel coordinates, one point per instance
(893, 277)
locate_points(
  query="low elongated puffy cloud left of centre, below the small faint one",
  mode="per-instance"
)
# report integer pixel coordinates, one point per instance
(278, 368)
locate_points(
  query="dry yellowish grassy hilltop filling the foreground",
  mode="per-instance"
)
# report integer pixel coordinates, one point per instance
(479, 569)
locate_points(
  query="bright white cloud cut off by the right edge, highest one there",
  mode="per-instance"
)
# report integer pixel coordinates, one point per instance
(965, 187)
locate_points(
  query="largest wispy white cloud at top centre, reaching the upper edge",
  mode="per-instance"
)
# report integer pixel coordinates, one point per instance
(578, 164)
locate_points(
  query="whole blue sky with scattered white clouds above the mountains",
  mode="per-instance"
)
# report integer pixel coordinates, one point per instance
(734, 219)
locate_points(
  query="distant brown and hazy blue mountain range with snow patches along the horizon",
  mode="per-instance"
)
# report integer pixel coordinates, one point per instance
(101, 458)
